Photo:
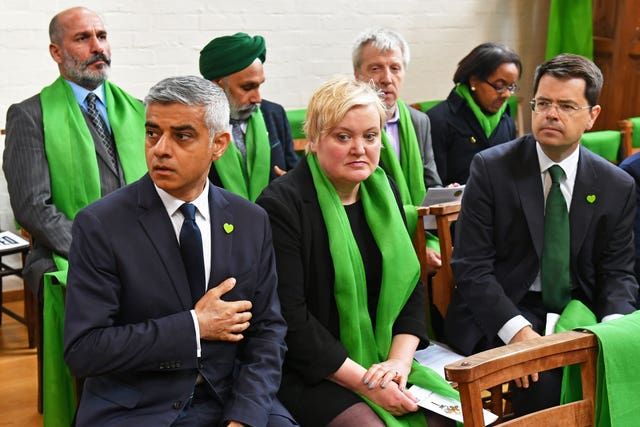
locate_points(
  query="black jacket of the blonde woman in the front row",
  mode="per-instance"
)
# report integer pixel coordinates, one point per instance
(305, 283)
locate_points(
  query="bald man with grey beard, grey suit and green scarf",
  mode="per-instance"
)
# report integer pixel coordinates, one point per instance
(55, 159)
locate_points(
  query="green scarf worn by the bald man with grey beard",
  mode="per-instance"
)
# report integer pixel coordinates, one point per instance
(75, 183)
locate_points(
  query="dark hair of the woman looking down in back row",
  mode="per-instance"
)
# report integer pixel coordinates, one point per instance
(483, 60)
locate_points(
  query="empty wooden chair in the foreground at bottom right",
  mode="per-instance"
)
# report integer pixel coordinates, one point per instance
(492, 368)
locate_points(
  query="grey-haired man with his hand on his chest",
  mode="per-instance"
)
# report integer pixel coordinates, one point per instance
(162, 338)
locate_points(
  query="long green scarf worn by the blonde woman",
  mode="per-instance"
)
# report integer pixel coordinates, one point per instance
(367, 346)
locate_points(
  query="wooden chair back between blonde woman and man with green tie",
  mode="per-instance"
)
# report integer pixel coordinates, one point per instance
(442, 281)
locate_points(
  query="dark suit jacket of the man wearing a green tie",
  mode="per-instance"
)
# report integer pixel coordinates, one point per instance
(499, 238)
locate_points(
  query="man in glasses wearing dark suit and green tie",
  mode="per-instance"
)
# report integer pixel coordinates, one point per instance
(544, 222)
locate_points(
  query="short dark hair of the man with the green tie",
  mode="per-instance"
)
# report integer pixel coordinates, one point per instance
(569, 66)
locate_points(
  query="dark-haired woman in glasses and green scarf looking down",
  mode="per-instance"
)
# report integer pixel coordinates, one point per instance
(475, 116)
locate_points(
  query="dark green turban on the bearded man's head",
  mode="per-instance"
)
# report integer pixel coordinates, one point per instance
(229, 54)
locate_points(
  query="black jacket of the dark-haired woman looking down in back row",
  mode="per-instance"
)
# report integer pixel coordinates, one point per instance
(457, 136)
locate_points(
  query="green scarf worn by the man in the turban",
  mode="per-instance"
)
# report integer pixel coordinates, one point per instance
(248, 181)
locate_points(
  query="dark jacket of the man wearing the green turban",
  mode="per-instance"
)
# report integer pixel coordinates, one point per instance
(282, 153)
